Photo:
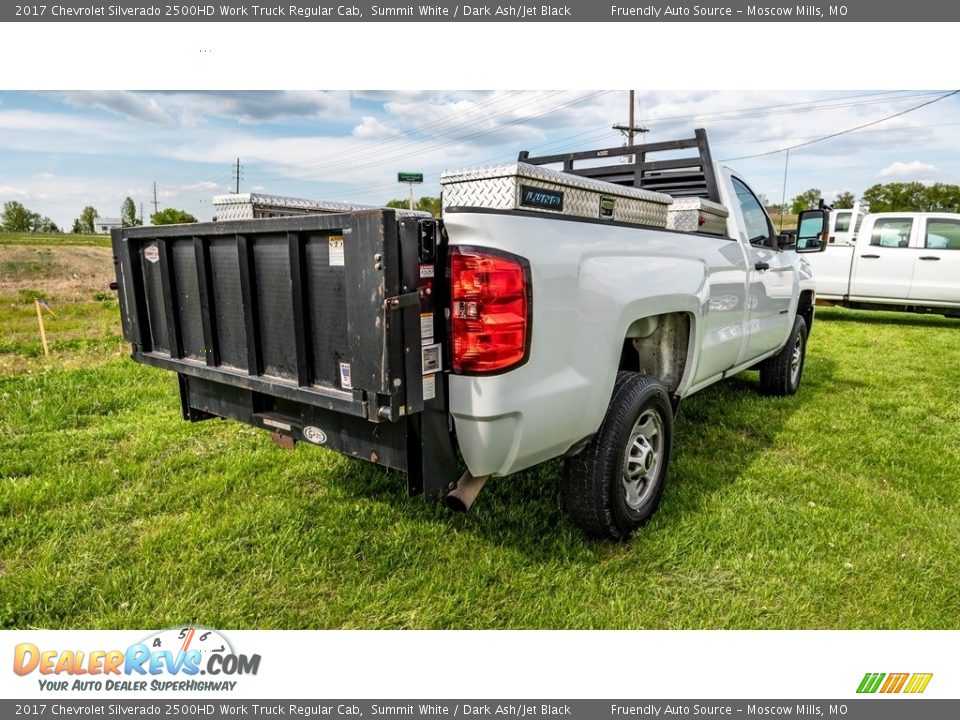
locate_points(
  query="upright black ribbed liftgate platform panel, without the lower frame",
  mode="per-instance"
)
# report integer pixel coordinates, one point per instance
(321, 310)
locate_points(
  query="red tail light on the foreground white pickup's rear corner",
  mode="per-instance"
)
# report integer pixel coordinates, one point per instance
(490, 310)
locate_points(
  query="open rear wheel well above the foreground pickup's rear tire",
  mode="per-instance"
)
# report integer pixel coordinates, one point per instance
(658, 346)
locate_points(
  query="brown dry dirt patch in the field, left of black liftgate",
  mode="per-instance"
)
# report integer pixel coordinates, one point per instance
(65, 273)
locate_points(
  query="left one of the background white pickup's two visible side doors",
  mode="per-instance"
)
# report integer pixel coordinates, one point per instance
(883, 259)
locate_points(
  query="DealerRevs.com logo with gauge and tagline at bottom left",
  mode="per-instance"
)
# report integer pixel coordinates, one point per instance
(179, 659)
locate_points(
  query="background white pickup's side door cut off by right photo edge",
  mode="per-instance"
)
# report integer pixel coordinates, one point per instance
(936, 272)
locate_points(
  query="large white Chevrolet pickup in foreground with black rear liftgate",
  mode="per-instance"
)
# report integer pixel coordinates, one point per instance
(551, 313)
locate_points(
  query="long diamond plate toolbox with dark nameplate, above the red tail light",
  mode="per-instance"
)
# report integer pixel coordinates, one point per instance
(520, 186)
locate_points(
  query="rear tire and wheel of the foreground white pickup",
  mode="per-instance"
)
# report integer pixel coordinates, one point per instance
(614, 485)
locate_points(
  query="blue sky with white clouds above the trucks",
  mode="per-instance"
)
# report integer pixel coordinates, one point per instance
(62, 151)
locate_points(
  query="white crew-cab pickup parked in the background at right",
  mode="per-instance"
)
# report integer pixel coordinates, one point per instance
(899, 261)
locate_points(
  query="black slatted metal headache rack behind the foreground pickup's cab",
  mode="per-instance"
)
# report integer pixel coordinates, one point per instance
(681, 177)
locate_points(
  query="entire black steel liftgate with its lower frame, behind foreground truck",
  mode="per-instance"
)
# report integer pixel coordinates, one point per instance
(317, 328)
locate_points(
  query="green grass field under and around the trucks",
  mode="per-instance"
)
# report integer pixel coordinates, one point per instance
(839, 508)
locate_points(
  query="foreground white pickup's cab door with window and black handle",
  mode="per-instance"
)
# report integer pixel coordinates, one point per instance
(770, 278)
